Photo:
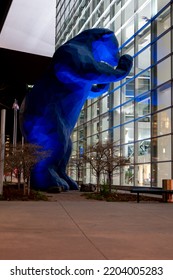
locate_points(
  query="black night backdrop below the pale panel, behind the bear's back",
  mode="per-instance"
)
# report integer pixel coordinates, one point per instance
(17, 70)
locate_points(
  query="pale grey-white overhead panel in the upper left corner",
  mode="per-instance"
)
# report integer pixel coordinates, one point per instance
(30, 27)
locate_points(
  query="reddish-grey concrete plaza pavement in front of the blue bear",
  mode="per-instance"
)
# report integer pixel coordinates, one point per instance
(74, 228)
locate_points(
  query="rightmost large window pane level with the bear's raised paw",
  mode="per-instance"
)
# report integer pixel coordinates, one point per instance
(162, 75)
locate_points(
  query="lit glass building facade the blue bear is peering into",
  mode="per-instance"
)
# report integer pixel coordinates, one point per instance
(136, 112)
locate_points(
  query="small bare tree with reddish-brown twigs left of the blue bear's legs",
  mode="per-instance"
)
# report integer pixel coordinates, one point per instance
(22, 158)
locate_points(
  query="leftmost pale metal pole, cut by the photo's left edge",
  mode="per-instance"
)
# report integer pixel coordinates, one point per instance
(2, 149)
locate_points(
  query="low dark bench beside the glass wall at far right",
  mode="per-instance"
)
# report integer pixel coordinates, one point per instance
(151, 190)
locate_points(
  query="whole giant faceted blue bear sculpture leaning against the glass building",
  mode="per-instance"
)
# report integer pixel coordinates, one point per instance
(81, 68)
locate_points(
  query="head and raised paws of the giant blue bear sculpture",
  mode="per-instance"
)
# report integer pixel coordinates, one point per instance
(91, 58)
